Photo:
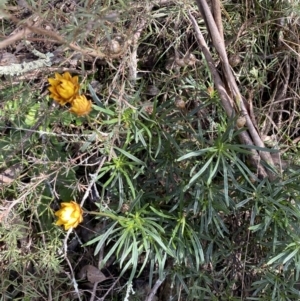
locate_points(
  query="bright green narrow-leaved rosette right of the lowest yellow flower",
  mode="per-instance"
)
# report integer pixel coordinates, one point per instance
(136, 234)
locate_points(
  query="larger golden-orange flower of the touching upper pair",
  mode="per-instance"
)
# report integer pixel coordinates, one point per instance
(63, 88)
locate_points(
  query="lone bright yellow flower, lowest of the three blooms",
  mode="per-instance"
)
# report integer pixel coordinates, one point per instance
(70, 215)
